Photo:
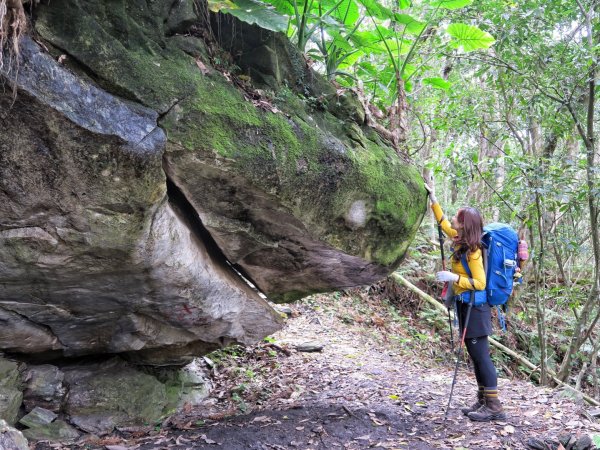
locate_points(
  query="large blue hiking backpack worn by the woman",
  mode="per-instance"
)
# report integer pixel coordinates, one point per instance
(500, 244)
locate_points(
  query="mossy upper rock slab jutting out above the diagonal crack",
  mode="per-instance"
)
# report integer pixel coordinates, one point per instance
(299, 195)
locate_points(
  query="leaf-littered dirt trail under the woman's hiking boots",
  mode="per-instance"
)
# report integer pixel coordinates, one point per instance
(358, 392)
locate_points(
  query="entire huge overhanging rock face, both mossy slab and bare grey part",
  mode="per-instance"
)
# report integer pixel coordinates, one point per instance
(137, 183)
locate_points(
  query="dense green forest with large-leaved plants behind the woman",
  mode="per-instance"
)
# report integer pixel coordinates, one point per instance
(496, 101)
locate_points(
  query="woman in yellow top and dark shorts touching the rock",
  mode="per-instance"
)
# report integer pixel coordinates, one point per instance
(465, 230)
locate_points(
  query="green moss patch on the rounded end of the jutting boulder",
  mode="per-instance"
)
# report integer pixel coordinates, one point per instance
(316, 174)
